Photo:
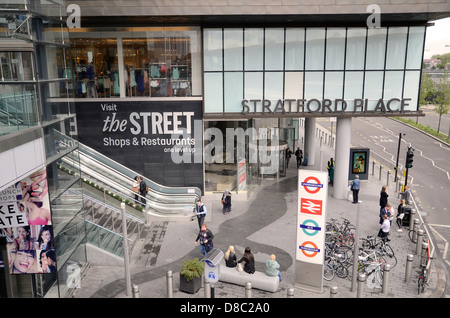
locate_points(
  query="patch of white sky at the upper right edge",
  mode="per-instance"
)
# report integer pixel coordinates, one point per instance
(438, 36)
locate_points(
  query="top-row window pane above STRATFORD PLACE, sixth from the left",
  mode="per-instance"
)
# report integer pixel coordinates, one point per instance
(315, 46)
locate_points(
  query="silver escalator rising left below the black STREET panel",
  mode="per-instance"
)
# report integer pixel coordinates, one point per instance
(113, 180)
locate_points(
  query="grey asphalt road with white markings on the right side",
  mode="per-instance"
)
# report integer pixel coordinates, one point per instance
(430, 174)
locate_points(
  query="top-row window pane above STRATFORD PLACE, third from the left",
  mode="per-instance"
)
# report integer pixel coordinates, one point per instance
(253, 49)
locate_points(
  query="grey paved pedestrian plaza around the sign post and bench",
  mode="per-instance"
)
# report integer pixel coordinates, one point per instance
(267, 224)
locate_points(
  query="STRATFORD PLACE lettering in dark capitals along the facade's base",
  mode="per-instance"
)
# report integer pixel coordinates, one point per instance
(324, 106)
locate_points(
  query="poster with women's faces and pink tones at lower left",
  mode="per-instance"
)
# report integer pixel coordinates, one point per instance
(25, 221)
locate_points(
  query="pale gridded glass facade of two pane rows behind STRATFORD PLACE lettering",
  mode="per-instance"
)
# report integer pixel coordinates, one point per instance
(311, 63)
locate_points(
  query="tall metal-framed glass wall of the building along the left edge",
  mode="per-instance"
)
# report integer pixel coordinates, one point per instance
(36, 89)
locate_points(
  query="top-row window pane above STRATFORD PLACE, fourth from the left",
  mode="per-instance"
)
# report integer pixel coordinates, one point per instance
(274, 49)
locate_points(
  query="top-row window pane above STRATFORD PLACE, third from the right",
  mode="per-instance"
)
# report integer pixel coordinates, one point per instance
(376, 44)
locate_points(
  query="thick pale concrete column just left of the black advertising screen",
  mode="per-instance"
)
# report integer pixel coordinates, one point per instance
(342, 152)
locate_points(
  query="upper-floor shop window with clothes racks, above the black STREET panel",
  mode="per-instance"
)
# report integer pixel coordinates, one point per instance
(136, 62)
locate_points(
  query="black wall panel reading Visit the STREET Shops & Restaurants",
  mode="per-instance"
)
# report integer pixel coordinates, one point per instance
(161, 140)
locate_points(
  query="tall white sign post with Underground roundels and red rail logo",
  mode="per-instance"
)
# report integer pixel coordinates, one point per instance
(311, 218)
